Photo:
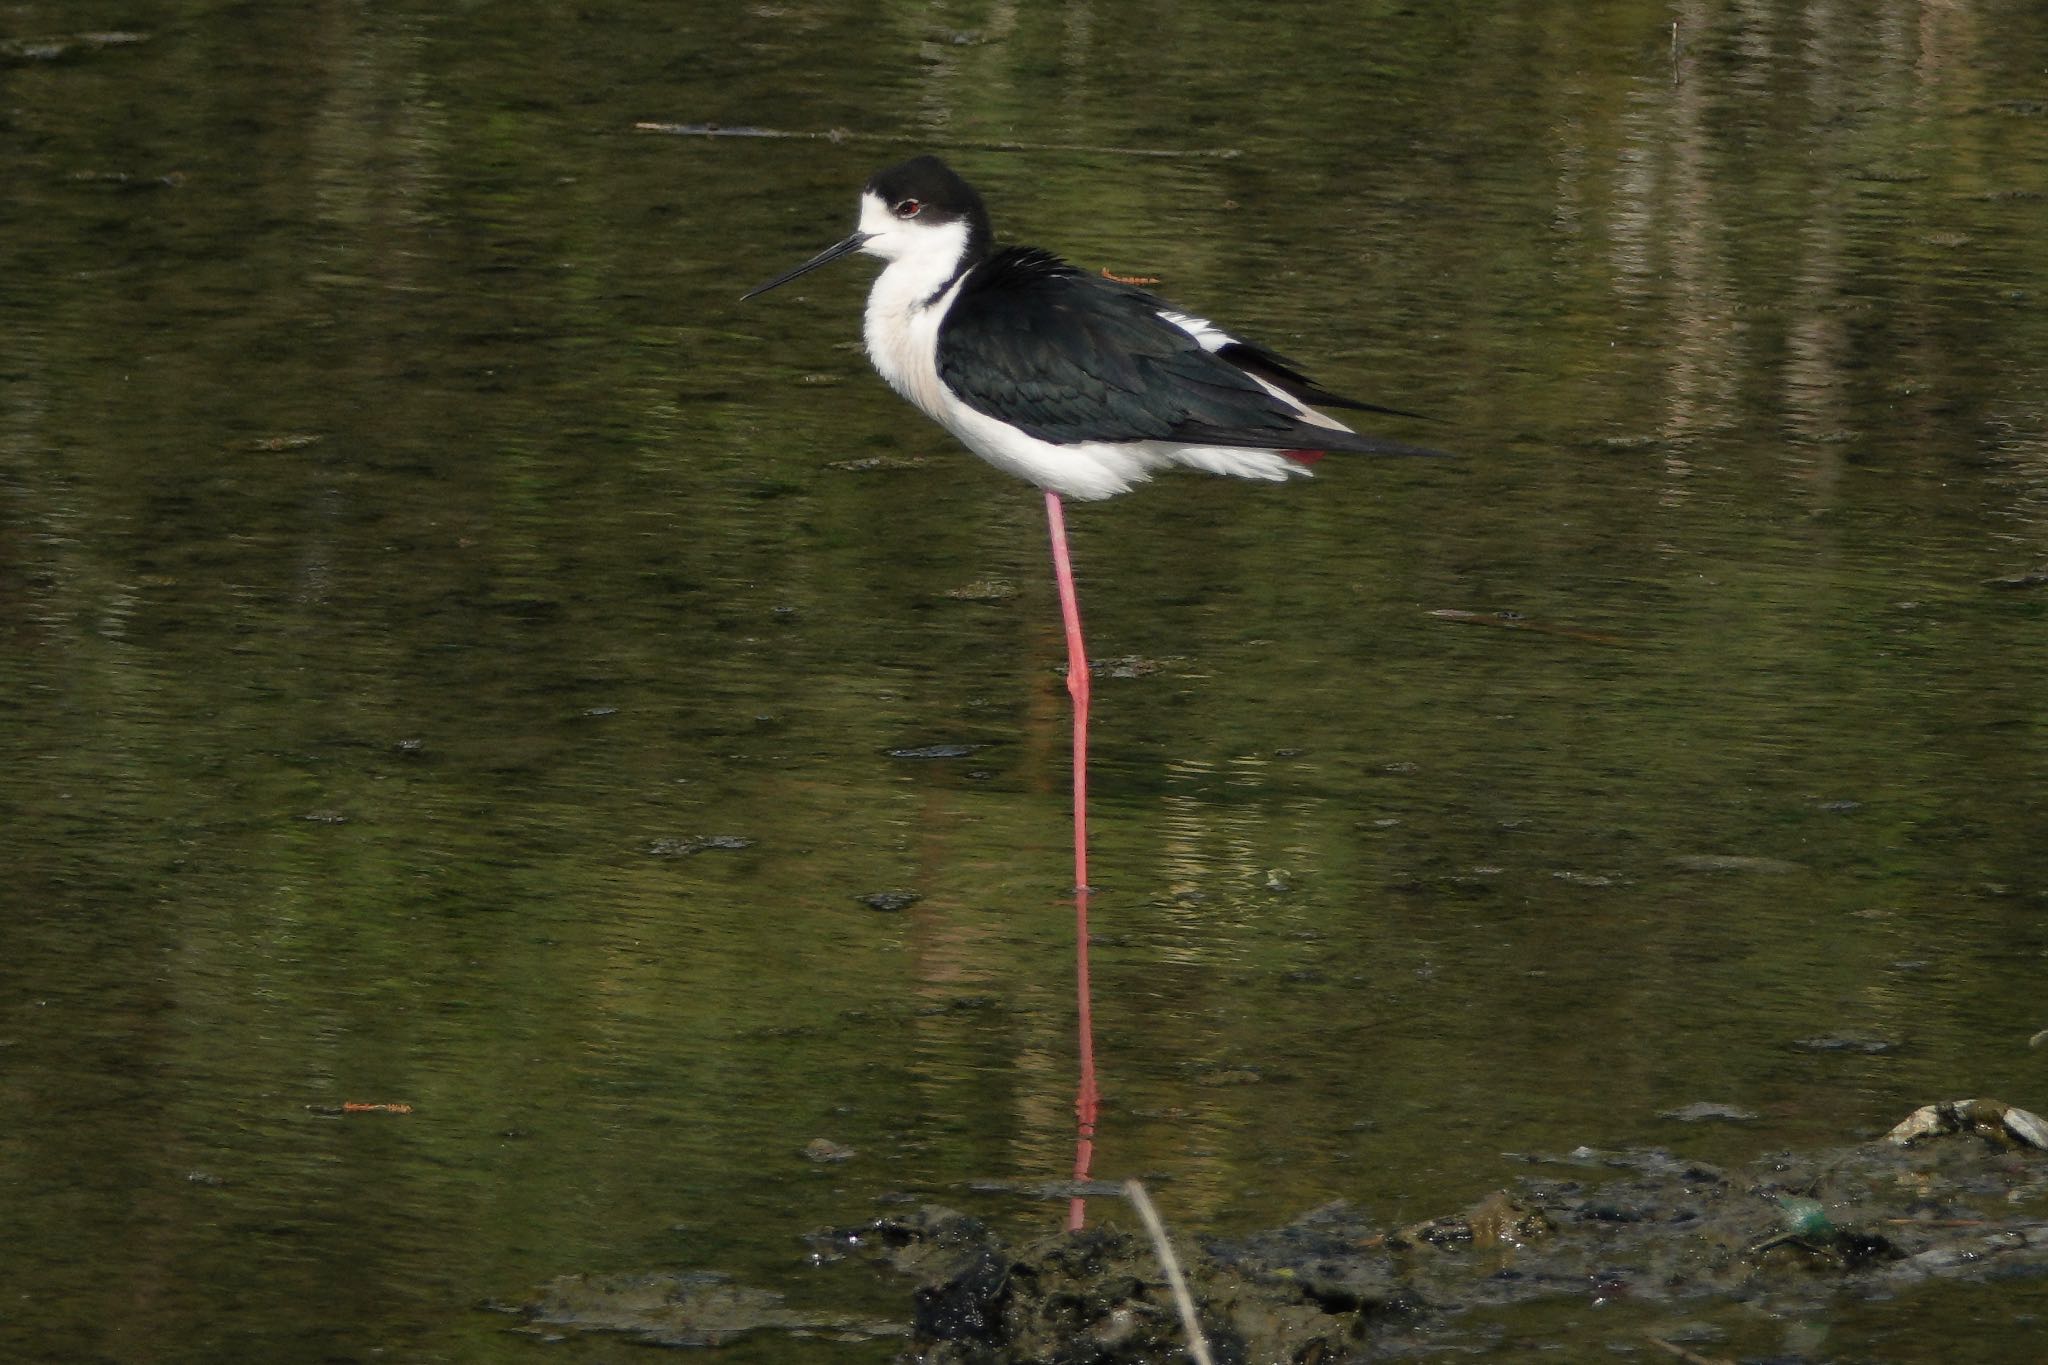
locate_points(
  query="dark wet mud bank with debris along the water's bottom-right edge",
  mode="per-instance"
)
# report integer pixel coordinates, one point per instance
(1957, 1194)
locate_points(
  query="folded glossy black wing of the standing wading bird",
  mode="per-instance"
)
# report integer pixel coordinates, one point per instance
(1068, 357)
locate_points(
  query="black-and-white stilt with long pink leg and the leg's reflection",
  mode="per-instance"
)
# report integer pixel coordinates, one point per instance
(1078, 384)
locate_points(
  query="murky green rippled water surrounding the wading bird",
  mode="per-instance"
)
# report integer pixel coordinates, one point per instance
(411, 554)
